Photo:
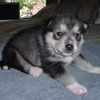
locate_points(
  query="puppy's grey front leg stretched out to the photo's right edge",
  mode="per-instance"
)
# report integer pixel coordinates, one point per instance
(83, 64)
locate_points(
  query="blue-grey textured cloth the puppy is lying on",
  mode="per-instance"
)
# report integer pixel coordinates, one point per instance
(15, 85)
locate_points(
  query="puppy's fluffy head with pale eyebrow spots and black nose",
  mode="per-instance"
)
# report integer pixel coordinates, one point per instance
(65, 35)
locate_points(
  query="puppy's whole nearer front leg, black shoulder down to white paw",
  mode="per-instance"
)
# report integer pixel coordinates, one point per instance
(57, 71)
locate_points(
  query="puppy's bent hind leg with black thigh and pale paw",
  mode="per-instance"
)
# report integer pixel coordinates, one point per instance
(12, 58)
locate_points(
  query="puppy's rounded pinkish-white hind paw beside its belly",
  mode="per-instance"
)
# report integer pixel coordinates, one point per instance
(35, 71)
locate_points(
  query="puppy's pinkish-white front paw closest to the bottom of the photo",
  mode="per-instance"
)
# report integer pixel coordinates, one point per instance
(77, 88)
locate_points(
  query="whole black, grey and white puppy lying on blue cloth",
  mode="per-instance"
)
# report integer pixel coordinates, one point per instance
(50, 47)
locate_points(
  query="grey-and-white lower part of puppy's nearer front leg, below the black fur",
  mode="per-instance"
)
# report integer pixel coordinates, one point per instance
(70, 83)
